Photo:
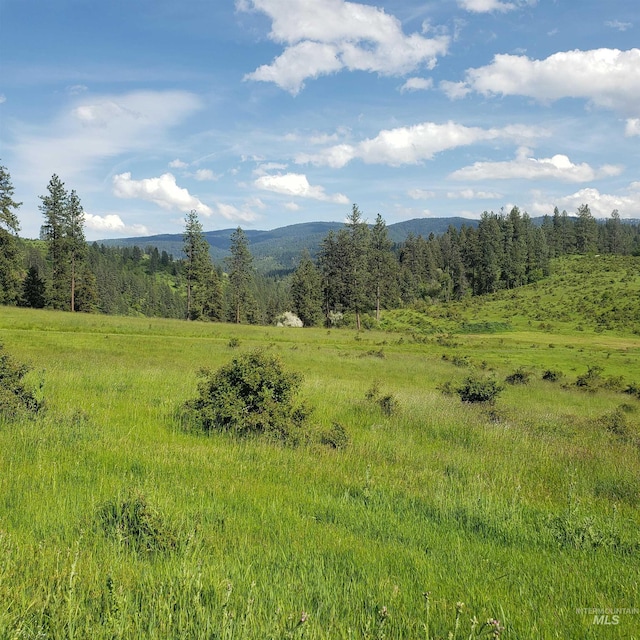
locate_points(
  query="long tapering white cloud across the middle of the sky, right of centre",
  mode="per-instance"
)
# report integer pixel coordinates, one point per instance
(411, 145)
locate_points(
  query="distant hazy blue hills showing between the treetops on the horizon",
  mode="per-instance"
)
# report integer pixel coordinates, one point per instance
(279, 249)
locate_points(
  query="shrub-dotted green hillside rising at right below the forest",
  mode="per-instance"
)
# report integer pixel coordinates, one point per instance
(593, 293)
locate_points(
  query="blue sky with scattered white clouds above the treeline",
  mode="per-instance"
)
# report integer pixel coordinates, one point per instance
(264, 113)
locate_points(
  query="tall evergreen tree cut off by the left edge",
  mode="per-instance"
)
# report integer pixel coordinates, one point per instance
(10, 258)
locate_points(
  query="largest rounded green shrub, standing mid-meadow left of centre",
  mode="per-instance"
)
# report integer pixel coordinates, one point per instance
(252, 394)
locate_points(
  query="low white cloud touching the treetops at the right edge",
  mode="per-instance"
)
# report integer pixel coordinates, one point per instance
(601, 204)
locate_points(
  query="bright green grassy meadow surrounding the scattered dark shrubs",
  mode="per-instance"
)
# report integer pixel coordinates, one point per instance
(527, 511)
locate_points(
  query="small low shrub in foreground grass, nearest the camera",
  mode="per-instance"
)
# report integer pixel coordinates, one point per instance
(132, 522)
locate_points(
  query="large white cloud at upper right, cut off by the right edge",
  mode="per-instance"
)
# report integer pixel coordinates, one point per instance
(608, 78)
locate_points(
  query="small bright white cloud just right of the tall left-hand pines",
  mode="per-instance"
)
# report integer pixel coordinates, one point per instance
(163, 191)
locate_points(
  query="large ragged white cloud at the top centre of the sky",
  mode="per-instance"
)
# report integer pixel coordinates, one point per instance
(326, 36)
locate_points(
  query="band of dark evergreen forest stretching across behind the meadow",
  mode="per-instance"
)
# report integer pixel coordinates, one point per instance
(357, 271)
